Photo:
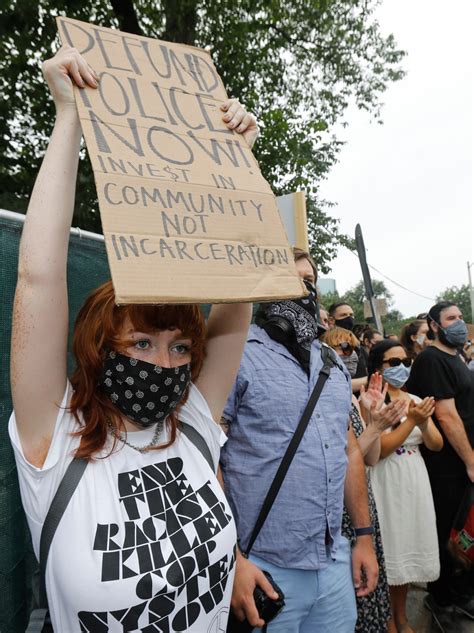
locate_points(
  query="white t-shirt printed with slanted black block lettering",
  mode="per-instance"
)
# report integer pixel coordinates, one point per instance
(147, 540)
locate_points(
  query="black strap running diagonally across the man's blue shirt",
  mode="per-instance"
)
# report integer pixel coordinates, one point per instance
(328, 362)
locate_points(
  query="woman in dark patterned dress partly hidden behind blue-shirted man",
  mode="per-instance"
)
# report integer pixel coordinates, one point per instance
(373, 611)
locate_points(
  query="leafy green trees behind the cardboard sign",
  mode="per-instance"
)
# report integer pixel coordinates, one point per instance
(297, 65)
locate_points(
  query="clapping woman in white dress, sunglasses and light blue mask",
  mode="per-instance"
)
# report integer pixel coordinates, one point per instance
(401, 485)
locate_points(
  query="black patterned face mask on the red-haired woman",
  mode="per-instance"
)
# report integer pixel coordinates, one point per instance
(143, 392)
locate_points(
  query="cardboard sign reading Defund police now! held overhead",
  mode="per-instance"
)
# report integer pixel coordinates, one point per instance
(186, 213)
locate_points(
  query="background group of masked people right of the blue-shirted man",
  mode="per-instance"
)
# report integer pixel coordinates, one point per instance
(424, 463)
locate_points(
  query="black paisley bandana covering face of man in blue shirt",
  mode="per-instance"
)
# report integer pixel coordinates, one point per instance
(293, 323)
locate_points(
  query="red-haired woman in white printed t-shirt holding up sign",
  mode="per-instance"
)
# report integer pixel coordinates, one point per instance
(147, 540)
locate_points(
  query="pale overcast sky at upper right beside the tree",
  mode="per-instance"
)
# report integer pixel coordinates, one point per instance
(408, 182)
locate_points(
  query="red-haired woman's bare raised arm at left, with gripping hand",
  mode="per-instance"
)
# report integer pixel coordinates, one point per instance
(40, 314)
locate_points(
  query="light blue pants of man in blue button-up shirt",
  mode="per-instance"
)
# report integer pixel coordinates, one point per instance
(316, 601)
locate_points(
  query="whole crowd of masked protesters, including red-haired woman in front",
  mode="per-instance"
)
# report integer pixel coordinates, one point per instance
(157, 537)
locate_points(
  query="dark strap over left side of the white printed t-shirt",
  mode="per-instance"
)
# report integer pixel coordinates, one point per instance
(61, 499)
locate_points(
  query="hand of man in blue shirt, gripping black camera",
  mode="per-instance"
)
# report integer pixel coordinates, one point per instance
(247, 577)
